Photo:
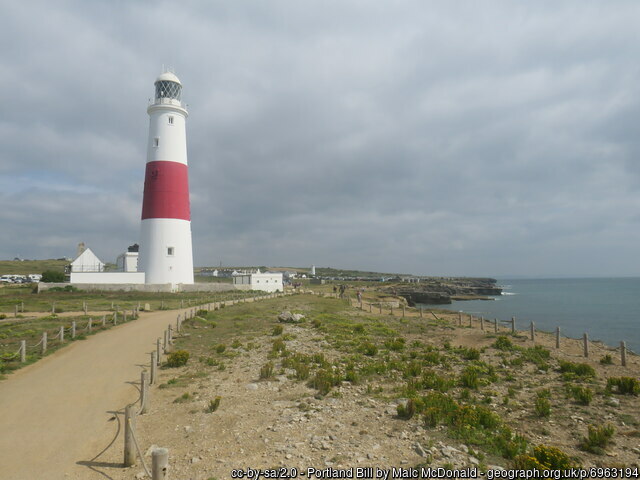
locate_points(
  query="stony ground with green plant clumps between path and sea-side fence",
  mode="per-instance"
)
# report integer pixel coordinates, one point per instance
(379, 363)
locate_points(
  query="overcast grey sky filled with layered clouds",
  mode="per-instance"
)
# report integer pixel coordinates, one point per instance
(425, 137)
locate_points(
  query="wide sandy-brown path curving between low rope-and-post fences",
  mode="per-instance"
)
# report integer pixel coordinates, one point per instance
(56, 415)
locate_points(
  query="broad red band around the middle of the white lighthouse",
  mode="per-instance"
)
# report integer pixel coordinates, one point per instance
(166, 191)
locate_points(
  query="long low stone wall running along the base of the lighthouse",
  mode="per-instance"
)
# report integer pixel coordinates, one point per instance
(135, 287)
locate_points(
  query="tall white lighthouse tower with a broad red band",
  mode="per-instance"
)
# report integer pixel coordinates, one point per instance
(165, 241)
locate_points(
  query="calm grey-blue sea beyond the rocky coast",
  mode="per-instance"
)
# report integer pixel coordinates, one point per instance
(608, 309)
